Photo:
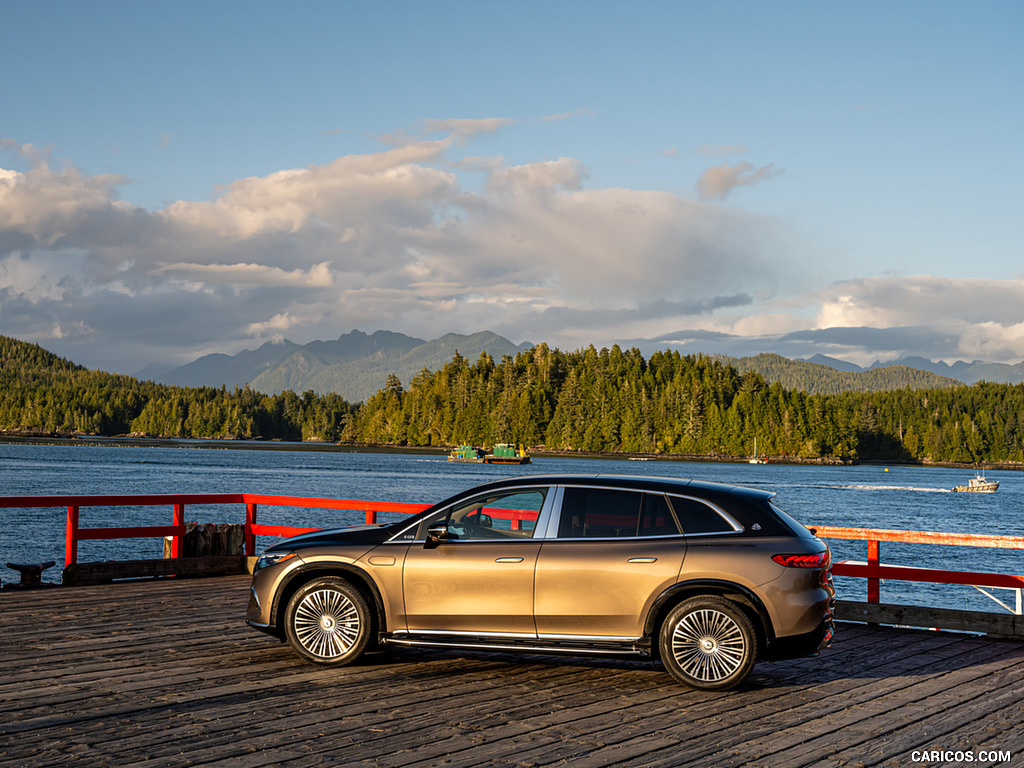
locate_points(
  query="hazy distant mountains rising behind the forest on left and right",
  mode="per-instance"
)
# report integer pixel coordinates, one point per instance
(357, 365)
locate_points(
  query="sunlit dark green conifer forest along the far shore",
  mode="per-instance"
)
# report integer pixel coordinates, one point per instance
(589, 401)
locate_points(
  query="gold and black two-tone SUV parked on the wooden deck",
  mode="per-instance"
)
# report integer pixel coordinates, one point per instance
(704, 577)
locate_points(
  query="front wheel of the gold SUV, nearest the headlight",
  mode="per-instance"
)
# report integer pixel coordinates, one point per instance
(329, 622)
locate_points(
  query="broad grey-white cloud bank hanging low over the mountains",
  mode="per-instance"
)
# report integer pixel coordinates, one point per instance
(416, 239)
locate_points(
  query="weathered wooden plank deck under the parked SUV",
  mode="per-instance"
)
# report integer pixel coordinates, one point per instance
(165, 673)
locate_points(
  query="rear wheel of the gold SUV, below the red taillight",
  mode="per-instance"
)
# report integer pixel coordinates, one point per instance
(708, 644)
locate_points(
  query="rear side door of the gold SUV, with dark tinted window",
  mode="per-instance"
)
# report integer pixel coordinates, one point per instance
(614, 552)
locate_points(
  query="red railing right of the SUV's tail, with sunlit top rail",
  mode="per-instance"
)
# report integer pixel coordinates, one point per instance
(875, 571)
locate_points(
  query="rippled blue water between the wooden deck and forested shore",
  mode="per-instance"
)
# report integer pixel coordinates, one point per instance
(871, 497)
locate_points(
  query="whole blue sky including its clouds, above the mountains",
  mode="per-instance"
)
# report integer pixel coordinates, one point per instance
(723, 178)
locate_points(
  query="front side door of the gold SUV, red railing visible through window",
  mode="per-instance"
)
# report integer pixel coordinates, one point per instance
(478, 579)
